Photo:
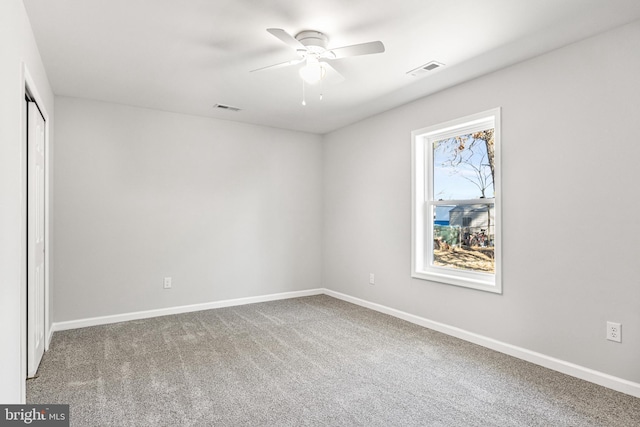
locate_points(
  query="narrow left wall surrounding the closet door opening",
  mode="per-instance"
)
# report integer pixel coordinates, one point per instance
(17, 49)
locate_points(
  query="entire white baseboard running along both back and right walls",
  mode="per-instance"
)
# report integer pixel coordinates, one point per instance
(600, 378)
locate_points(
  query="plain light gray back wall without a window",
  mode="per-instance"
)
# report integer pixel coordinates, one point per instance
(228, 210)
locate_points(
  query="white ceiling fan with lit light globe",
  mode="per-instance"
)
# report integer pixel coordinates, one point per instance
(311, 47)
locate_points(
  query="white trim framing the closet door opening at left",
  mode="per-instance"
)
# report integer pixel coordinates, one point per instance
(27, 83)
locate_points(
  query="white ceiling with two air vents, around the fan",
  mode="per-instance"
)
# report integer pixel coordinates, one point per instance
(187, 55)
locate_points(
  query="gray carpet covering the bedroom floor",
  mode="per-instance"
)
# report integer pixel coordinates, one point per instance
(306, 361)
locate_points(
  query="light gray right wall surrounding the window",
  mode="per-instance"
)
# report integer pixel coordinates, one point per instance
(570, 124)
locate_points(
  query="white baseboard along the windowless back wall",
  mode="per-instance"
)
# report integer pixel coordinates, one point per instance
(104, 320)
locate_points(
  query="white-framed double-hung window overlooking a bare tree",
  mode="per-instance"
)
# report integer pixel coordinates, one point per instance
(456, 205)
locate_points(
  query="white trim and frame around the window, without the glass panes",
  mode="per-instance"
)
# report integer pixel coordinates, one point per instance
(421, 188)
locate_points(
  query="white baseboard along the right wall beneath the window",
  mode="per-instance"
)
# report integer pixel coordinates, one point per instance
(600, 378)
